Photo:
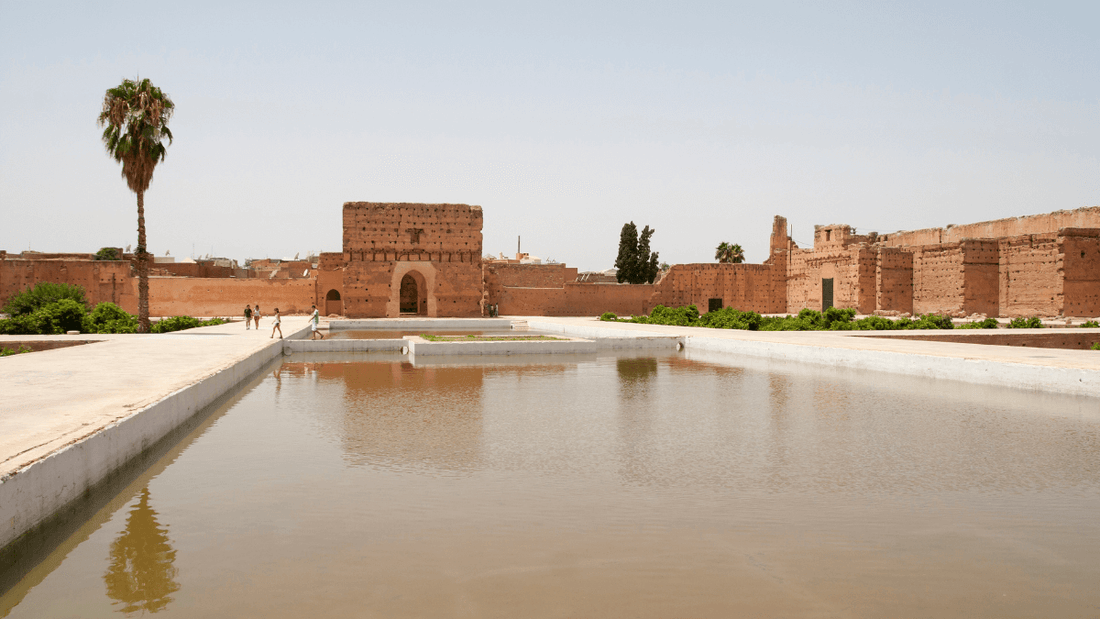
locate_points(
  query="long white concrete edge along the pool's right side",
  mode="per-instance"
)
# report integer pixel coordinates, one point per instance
(1069, 381)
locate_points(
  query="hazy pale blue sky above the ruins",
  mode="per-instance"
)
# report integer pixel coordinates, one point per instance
(562, 120)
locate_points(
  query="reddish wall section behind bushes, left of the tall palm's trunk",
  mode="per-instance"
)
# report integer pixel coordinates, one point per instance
(103, 281)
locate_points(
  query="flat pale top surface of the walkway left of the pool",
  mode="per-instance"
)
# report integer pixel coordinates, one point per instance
(54, 399)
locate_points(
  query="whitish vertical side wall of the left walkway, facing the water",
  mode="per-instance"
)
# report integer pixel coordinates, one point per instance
(36, 493)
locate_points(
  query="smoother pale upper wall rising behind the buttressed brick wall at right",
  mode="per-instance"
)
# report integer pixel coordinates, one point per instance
(1088, 217)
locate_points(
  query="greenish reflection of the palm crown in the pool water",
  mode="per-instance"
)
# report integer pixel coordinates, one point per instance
(141, 576)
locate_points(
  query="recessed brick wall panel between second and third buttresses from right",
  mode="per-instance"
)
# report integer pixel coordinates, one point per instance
(938, 280)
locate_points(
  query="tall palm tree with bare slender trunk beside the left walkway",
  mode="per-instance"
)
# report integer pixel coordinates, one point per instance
(137, 117)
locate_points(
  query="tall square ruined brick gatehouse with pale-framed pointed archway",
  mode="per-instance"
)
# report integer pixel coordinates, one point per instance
(441, 246)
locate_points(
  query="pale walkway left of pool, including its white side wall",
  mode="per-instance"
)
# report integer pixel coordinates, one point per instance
(70, 417)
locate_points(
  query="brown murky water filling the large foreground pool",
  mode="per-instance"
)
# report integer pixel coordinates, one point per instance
(611, 487)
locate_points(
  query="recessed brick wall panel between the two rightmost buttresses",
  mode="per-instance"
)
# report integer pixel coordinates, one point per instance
(1030, 277)
